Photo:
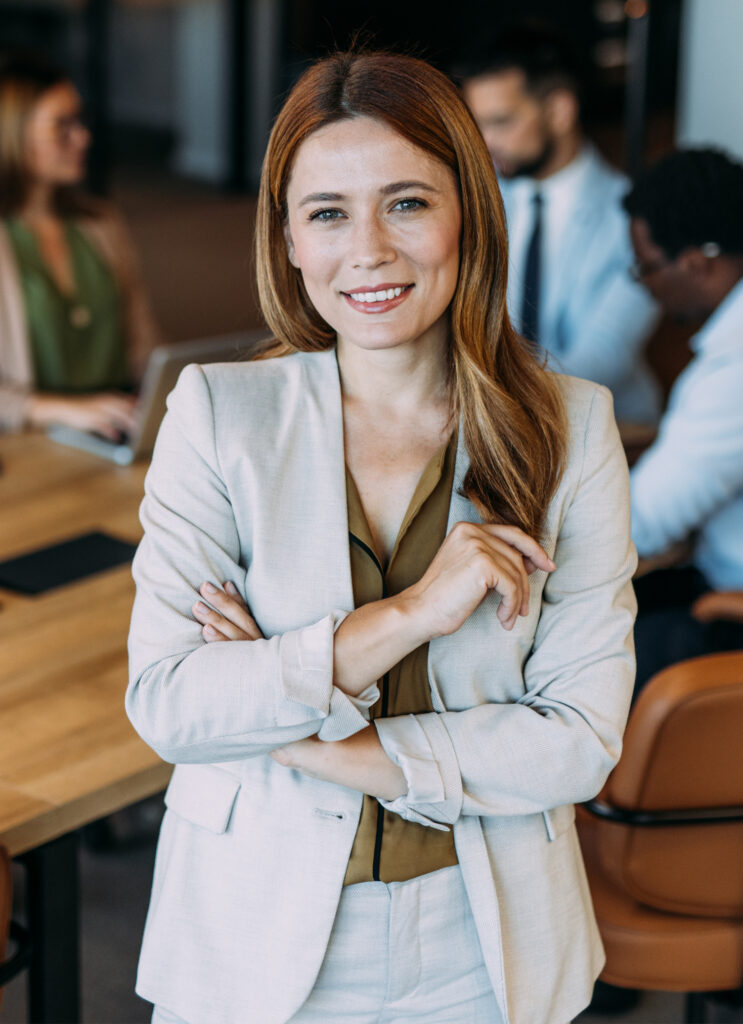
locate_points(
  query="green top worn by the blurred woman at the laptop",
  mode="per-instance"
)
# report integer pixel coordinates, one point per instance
(77, 342)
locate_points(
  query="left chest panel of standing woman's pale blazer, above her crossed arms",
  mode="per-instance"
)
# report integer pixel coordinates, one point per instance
(298, 552)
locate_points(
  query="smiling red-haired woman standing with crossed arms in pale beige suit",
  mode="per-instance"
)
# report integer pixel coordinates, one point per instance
(383, 623)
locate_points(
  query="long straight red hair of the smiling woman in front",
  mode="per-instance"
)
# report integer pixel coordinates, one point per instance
(512, 410)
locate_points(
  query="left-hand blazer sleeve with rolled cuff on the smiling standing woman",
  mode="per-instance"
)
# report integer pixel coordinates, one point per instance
(194, 702)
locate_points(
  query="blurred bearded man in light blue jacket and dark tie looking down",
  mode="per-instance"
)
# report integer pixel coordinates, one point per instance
(570, 246)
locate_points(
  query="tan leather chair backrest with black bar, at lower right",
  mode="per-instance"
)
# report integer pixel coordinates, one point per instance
(683, 750)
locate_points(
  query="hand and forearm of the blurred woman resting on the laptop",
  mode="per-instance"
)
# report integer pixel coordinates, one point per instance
(109, 413)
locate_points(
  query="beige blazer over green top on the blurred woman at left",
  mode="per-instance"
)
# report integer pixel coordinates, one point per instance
(109, 234)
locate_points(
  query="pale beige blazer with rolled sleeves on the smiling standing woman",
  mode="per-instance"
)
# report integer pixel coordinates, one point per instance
(248, 484)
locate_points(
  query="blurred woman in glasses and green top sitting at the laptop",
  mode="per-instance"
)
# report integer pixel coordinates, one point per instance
(75, 327)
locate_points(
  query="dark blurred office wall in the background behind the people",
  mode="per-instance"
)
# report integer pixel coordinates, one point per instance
(182, 94)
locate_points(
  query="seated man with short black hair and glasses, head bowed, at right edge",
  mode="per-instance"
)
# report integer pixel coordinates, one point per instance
(687, 230)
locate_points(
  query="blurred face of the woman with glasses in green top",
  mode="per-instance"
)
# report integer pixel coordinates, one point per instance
(57, 142)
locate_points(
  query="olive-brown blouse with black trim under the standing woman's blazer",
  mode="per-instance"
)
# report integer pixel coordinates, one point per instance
(387, 847)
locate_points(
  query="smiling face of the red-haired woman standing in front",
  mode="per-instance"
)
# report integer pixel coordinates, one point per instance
(374, 227)
